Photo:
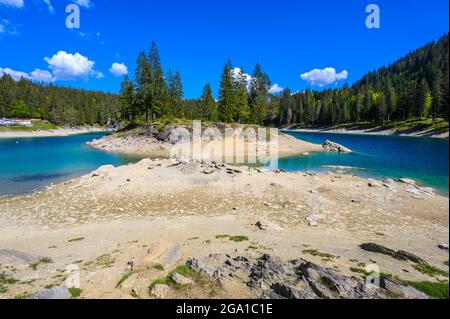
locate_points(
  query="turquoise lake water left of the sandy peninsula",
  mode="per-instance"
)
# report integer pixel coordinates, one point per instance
(28, 164)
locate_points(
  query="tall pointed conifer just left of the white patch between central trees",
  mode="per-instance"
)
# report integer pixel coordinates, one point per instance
(227, 98)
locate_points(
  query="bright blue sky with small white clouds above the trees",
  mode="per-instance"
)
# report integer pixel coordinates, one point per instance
(288, 37)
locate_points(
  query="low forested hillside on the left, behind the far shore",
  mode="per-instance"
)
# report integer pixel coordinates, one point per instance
(59, 105)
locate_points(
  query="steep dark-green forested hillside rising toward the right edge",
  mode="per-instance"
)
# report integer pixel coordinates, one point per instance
(415, 86)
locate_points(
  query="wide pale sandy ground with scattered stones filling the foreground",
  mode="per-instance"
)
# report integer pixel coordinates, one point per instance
(155, 214)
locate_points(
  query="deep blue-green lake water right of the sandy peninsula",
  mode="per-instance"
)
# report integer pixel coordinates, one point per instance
(422, 159)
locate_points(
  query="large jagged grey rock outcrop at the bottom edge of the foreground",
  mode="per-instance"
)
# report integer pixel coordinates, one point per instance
(272, 278)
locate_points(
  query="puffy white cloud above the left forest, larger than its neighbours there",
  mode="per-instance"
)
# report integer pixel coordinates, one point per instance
(66, 66)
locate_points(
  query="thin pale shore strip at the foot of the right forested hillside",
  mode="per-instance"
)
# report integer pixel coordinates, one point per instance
(425, 133)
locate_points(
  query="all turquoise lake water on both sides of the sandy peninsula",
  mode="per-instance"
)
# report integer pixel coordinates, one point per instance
(28, 164)
